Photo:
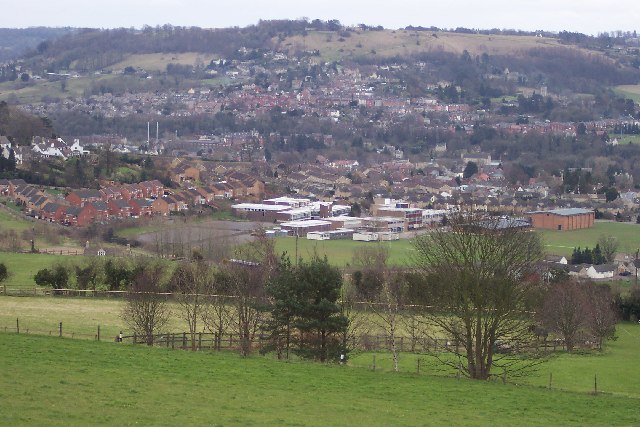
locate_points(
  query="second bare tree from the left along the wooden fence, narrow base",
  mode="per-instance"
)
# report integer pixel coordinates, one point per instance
(192, 281)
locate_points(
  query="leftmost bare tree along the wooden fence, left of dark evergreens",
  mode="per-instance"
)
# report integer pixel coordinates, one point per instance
(146, 310)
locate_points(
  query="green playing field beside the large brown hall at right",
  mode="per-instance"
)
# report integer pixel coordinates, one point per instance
(563, 242)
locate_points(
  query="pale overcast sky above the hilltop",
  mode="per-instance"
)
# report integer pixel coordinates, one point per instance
(586, 16)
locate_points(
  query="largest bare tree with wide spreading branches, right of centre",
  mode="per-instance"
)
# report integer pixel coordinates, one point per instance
(479, 272)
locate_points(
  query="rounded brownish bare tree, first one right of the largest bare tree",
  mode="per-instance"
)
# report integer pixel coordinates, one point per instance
(564, 310)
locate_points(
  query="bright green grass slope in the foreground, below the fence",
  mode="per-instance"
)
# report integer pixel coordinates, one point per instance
(52, 381)
